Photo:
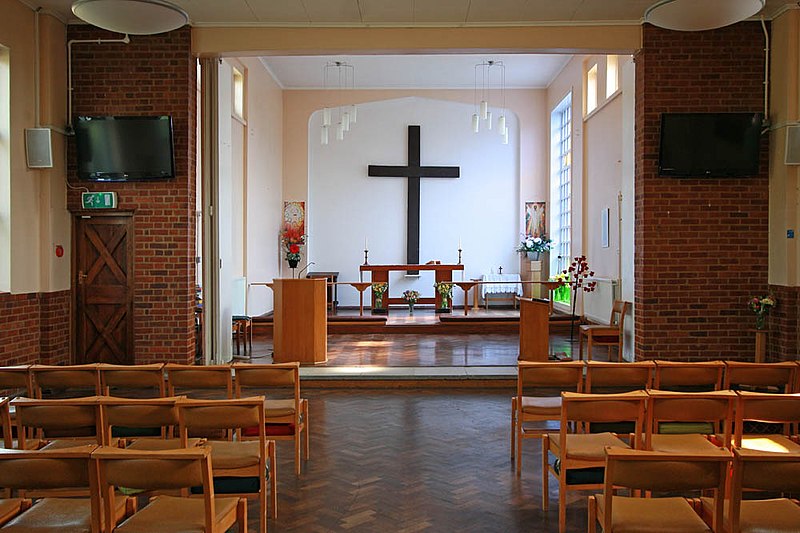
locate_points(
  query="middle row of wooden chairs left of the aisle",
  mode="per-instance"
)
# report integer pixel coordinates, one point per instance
(232, 429)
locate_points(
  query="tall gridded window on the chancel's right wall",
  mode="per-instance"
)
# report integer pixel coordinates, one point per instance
(561, 184)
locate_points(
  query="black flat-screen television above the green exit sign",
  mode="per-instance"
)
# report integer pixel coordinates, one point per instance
(124, 148)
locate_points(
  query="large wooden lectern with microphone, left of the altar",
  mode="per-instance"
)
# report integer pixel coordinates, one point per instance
(300, 324)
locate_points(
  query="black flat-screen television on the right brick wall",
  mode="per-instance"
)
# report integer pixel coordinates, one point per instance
(710, 144)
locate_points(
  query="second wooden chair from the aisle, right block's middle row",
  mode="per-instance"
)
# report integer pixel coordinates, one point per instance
(684, 422)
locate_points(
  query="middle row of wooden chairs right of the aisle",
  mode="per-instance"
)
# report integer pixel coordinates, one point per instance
(678, 423)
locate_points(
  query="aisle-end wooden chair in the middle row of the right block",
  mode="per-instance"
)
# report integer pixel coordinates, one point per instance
(581, 451)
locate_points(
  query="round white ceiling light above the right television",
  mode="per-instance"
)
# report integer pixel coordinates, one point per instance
(698, 15)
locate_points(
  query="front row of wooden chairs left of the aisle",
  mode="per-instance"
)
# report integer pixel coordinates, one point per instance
(286, 410)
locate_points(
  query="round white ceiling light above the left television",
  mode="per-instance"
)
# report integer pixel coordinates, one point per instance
(135, 17)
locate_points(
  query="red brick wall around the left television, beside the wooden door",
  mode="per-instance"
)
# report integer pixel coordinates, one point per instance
(153, 75)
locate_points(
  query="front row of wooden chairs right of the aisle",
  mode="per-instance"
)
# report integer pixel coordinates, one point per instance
(539, 383)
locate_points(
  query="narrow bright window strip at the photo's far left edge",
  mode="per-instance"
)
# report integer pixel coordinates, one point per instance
(5, 171)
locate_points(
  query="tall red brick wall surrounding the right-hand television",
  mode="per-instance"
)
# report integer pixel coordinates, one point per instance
(701, 244)
